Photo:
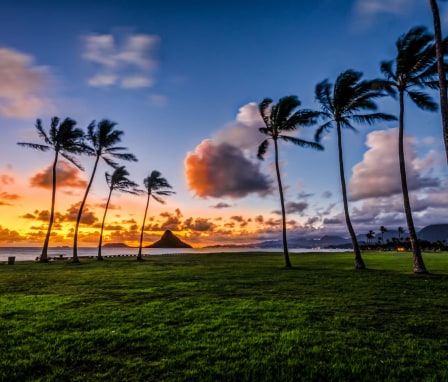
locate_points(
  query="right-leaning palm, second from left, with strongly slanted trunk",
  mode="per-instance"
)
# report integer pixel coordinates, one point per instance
(102, 139)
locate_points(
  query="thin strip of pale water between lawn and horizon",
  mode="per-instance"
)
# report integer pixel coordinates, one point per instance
(30, 253)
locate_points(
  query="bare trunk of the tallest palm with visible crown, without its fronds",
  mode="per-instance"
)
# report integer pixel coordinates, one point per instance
(419, 266)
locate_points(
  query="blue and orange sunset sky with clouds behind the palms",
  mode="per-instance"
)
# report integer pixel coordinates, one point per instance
(182, 80)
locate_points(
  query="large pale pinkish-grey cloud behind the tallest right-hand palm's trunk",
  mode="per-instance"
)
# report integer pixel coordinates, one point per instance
(379, 175)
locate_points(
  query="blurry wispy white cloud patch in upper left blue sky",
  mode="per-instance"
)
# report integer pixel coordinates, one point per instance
(128, 65)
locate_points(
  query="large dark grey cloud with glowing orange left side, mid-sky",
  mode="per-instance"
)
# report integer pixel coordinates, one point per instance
(218, 170)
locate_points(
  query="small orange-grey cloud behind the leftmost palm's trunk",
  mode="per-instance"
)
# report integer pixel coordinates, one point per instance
(66, 176)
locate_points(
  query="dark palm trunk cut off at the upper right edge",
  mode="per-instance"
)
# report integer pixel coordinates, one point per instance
(441, 72)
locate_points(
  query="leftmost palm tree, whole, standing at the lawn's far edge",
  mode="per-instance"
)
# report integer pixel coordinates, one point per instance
(64, 139)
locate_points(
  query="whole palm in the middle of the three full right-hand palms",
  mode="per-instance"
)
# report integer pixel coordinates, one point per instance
(349, 100)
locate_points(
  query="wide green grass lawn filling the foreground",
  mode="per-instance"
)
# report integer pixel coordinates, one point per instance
(225, 317)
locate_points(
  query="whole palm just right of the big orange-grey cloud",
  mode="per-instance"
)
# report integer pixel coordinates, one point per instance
(280, 119)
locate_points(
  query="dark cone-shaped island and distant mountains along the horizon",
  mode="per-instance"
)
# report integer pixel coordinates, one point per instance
(432, 233)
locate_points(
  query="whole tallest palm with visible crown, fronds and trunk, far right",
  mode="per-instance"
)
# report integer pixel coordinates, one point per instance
(414, 67)
